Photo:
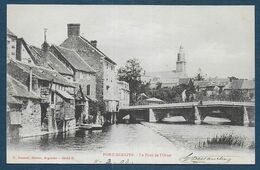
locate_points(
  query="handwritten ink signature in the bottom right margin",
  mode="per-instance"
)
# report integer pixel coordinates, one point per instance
(192, 158)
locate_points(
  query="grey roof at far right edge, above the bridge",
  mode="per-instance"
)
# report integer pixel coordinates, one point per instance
(241, 84)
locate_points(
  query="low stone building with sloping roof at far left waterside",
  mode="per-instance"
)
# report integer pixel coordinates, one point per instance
(23, 117)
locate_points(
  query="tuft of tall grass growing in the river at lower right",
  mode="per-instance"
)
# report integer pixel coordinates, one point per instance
(226, 140)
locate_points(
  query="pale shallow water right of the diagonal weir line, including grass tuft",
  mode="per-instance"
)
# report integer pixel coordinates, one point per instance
(206, 137)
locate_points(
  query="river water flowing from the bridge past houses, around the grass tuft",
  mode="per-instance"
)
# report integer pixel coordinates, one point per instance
(139, 138)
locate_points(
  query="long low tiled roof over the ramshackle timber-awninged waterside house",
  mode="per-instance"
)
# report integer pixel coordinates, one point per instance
(43, 73)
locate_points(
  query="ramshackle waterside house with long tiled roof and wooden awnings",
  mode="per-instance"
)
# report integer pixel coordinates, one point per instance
(57, 106)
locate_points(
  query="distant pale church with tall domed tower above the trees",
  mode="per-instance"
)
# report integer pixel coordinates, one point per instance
(168, 78)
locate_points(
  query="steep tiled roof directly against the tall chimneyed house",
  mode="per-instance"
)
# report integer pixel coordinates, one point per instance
(74, 59)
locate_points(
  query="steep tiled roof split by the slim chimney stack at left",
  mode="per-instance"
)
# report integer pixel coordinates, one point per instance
(52, 61)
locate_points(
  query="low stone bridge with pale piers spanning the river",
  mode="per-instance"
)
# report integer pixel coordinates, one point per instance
(239, 113)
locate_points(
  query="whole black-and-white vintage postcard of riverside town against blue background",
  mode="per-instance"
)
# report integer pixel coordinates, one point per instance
(130, 84)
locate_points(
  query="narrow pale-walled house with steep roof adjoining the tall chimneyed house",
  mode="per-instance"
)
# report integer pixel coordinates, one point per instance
(84, 77)
